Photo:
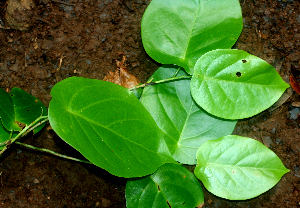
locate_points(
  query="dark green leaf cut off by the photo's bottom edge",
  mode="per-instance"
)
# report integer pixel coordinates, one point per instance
(170, 186)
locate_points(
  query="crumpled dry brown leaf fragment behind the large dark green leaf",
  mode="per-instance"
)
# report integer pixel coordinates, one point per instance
(121, 76)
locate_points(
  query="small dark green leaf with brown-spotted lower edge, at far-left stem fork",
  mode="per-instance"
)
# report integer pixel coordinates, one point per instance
(27, 107)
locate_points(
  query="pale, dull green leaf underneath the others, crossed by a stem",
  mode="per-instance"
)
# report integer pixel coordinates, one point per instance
(185, 124)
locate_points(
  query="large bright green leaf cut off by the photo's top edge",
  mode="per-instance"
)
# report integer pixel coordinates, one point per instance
(179, 32)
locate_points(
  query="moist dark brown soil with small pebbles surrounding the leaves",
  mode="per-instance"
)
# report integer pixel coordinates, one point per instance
(84, 38)
